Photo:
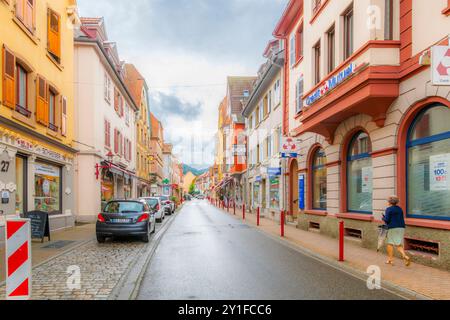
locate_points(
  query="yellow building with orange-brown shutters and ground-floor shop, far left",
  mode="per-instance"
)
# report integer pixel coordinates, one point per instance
(36, 108)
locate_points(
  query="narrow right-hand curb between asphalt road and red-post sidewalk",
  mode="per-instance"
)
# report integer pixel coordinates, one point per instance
(388, 286)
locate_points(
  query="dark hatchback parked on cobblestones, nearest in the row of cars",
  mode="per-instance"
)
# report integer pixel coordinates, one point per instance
(126, 218)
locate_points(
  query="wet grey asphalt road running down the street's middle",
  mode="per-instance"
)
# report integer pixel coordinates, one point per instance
(208, 255)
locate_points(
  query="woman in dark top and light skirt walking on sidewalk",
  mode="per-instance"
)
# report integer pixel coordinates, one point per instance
(395, 221)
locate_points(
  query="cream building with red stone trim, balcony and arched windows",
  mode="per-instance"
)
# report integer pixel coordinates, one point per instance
(372, 121)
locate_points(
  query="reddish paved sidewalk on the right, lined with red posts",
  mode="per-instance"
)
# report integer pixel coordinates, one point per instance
(423, 280)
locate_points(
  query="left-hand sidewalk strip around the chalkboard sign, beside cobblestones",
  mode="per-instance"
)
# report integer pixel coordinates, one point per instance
(61, 241)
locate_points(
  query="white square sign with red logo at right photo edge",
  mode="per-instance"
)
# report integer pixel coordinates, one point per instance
(440, 65)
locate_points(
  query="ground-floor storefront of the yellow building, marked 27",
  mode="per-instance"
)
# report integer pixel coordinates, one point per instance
(36, 175)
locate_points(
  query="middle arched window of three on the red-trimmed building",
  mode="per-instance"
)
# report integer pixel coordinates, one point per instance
(359, 174)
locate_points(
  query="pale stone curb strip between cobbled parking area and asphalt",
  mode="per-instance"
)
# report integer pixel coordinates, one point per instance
(129, 285)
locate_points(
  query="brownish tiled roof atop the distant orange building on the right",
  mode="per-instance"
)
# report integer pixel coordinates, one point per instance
(235, 92)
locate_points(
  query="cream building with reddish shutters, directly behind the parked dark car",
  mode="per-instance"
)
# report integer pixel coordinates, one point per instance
(104, 122)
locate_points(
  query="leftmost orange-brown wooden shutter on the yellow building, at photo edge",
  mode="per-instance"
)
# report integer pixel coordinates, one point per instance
(9, 83)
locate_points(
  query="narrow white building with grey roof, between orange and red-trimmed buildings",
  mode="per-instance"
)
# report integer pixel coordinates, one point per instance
(263, 113)
